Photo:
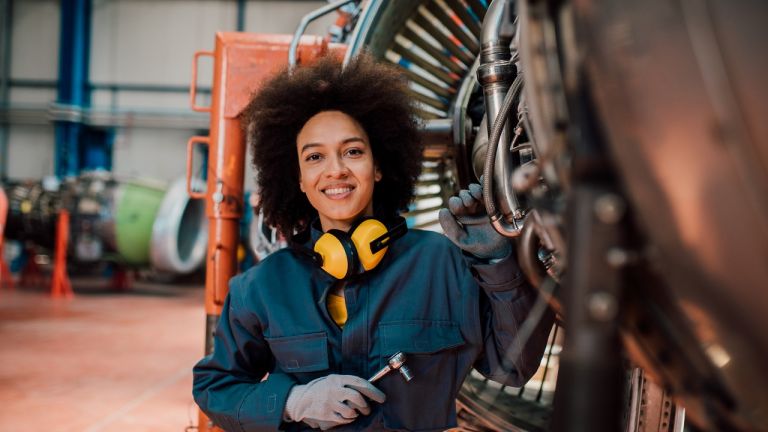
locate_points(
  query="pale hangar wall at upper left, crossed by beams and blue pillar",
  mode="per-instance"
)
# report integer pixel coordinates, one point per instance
(140, 42)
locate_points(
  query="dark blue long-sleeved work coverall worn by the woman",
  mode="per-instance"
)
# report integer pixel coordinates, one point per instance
(423, 299)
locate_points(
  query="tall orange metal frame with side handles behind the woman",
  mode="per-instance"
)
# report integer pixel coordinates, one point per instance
(242, 61)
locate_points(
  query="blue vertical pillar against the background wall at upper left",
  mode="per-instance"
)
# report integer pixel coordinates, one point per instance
(78, 146)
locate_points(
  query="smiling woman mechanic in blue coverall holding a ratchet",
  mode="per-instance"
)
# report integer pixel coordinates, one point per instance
(301, 332)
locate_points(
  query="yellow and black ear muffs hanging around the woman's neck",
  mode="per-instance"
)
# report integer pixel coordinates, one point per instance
(343, 254)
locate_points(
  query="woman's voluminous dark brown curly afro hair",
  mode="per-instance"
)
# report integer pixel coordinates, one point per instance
(372, 93)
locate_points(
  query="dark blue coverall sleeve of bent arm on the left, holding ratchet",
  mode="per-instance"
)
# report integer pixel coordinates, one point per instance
(228, 384)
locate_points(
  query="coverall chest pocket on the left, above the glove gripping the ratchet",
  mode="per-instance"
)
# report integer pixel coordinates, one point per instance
(304, 356)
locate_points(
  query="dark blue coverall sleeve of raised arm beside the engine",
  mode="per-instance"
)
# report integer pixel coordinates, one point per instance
(505, 303)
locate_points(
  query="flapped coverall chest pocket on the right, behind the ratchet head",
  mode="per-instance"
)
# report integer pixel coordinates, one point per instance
(426, 402)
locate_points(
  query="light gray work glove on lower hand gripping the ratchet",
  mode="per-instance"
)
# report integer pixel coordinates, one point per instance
(331, 401)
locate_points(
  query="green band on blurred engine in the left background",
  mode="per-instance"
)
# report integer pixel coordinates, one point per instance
(135, 213)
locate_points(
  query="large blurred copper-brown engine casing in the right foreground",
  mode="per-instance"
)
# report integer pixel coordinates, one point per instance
(646, 117)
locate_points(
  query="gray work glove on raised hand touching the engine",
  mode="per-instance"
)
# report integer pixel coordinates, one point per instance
(466, 224)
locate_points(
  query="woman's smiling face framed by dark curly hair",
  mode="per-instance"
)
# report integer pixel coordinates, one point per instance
(337, 169)
